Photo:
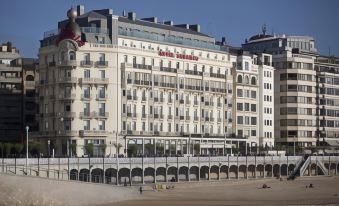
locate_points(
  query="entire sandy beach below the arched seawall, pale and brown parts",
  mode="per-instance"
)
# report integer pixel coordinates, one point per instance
(21, 190)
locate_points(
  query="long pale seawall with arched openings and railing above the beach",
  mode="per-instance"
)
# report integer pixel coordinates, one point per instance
(175, 169)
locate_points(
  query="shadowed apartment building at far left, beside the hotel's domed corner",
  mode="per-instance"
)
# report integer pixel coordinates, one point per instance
(18, 105)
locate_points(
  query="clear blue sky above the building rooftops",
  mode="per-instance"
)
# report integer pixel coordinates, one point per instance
(24, 22)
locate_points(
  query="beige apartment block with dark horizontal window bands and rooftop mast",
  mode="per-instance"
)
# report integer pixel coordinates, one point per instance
(295, 86)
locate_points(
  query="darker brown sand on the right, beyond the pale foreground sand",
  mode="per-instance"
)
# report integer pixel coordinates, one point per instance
(244, 192)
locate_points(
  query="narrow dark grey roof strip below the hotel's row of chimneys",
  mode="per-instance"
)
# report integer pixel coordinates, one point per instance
(161, 26)
